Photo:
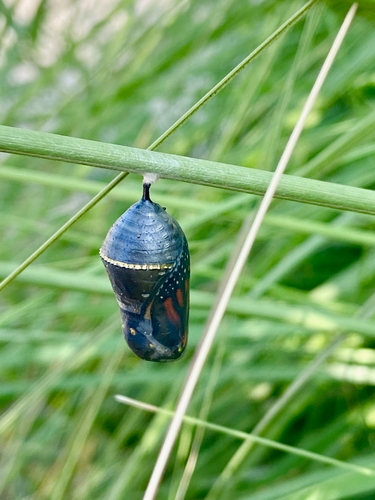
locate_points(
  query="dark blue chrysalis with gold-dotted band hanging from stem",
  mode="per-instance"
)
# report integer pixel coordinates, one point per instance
(147, 259)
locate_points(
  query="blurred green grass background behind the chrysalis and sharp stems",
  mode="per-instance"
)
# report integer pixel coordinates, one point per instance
(122, 72)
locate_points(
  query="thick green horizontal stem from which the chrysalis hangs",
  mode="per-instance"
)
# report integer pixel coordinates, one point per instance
(123, 158)
